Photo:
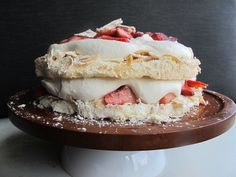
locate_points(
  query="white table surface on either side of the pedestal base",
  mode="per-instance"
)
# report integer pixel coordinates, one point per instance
(22, 155)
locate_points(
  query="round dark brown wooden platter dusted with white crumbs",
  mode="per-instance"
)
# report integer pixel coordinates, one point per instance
(206, 122)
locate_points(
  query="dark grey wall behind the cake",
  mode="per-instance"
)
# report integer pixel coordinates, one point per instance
(27, 28)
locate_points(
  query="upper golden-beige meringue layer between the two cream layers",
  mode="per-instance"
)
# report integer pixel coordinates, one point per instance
(165, 68)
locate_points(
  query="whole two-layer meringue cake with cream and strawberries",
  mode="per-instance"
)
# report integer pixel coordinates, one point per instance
(120, 74)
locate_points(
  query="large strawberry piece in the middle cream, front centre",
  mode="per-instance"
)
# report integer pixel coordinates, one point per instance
(120, 96)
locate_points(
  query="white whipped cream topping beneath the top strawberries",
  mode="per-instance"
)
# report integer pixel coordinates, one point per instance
(110, 49)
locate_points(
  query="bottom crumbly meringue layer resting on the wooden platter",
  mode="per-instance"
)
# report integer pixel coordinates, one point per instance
(134, 112)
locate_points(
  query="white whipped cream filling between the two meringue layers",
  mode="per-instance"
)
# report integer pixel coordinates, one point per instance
(148, 90)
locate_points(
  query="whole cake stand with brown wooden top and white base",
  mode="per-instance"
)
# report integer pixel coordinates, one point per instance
(104, 148)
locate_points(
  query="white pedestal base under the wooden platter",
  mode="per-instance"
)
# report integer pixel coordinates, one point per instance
(80, 162)
